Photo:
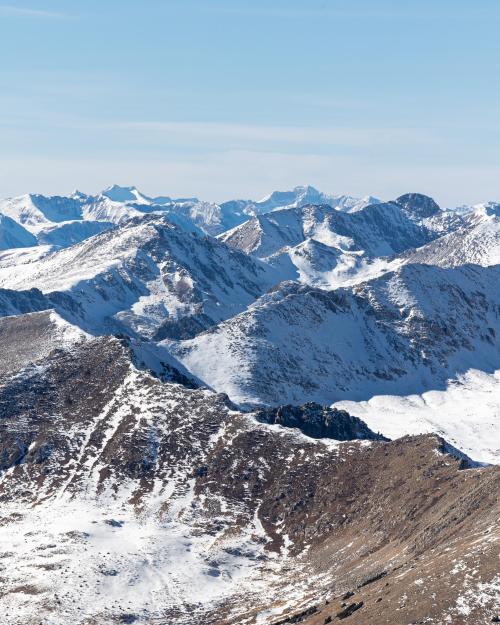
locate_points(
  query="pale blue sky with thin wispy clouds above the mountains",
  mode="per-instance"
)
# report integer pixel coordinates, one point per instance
(228, 99)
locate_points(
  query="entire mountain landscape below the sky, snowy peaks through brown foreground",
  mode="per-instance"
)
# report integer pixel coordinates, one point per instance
(256, 412)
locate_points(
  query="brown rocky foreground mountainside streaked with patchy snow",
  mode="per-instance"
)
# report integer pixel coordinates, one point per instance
(125, 499)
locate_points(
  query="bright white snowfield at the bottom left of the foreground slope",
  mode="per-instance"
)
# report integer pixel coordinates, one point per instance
(114, 563)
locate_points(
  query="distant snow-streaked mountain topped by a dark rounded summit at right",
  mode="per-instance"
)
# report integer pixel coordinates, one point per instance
(321, 246)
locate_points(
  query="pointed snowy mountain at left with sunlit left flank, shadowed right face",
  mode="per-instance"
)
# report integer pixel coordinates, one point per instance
(145, 277)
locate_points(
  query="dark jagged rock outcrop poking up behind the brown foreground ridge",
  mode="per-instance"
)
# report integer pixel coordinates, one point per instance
(318, 421)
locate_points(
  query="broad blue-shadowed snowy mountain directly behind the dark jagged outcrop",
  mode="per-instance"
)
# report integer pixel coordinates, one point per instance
(406, 332)
